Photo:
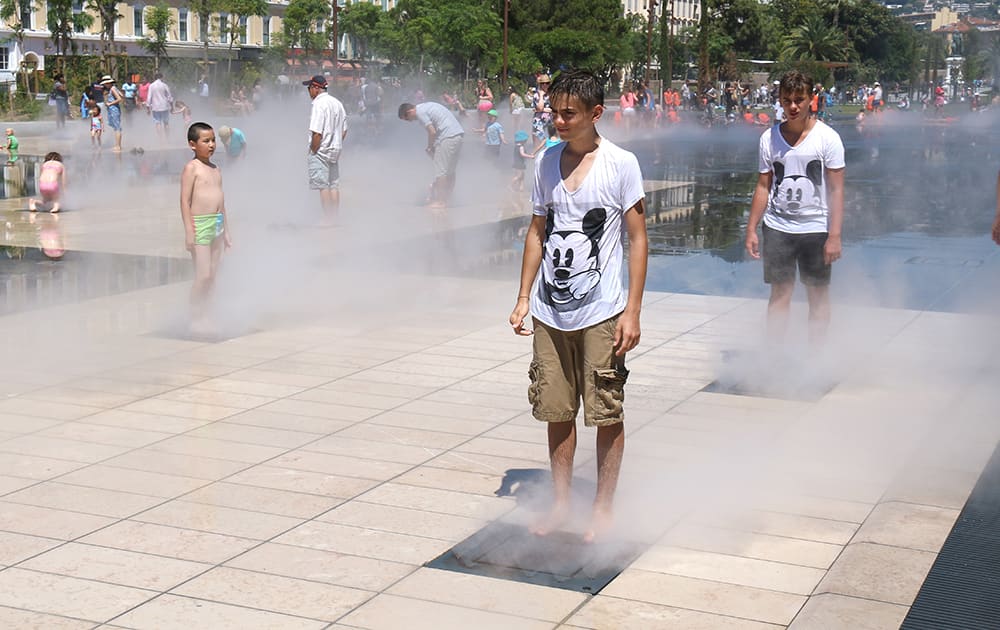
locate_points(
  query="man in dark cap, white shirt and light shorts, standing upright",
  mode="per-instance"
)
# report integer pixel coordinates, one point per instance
(327, 130)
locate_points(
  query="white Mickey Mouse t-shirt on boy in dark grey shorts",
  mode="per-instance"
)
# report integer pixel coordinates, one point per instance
(797, 200)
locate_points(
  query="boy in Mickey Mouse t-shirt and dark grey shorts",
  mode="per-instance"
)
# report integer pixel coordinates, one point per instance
(800, 196)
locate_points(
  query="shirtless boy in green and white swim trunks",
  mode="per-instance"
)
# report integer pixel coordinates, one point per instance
(203, 210)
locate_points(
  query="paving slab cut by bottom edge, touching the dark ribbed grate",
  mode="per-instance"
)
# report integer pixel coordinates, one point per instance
(836, 612)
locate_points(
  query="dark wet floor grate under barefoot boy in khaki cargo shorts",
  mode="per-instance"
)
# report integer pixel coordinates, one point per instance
(559, 560)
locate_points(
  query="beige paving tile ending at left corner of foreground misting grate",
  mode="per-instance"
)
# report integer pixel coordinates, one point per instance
(322, 566)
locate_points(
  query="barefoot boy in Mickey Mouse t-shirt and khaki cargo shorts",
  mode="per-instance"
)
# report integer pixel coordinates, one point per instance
(586, 190)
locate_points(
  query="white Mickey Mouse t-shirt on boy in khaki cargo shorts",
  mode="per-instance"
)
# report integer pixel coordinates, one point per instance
(579, 283)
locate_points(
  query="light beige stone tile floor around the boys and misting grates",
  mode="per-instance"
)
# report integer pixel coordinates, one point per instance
(300, 475)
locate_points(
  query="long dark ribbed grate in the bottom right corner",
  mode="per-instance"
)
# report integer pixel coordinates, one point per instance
(962, 589)
